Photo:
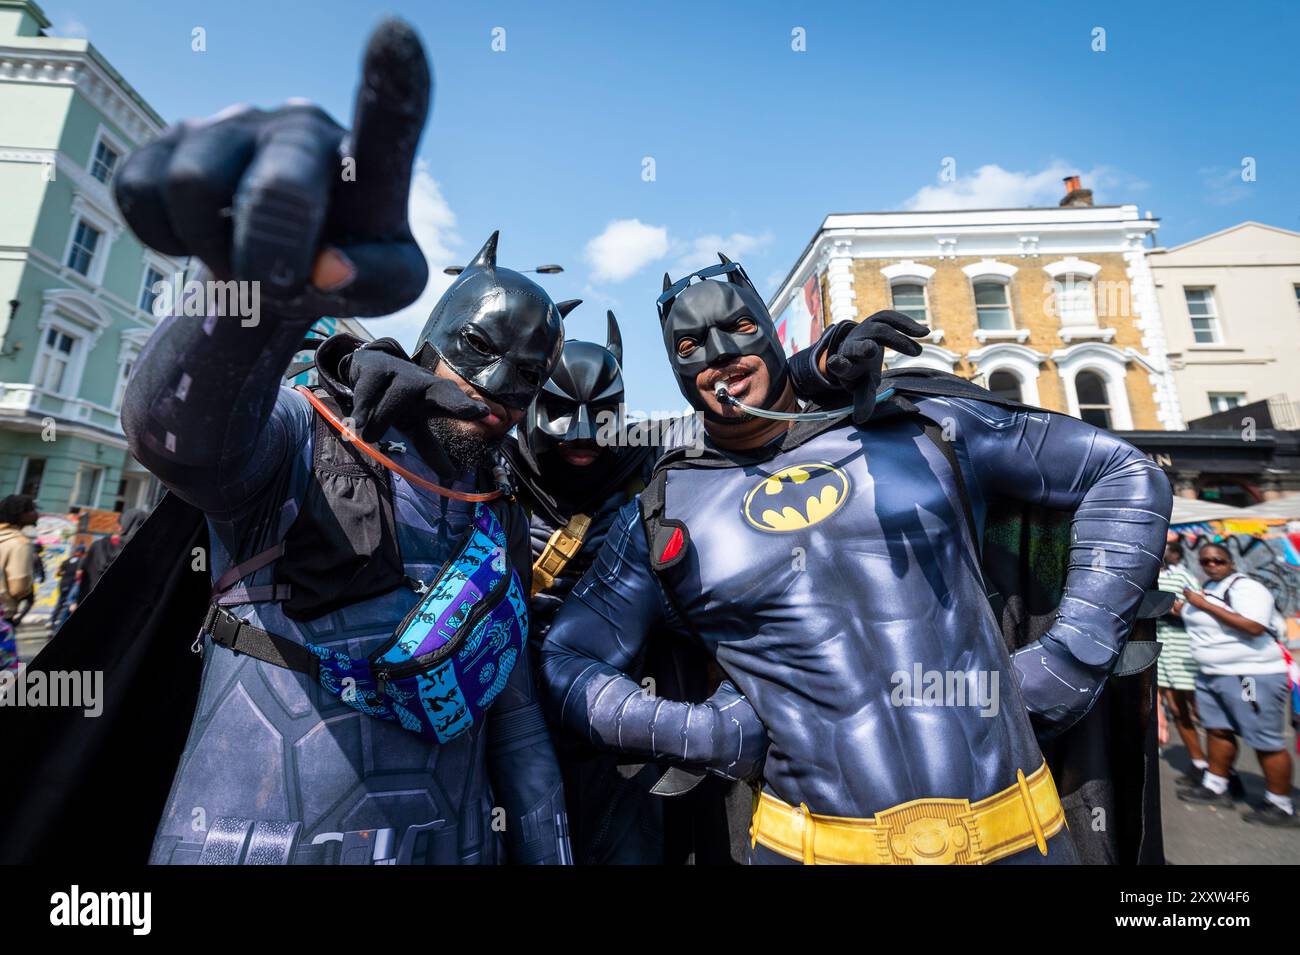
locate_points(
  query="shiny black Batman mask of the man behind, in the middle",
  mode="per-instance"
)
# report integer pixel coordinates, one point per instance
(577, 401)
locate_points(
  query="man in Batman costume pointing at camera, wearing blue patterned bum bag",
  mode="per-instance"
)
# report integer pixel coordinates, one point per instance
(365, 697)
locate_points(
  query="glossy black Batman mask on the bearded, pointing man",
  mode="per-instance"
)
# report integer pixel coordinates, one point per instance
(496, 329)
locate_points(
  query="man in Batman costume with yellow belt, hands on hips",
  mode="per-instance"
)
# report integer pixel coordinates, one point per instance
(887, 710)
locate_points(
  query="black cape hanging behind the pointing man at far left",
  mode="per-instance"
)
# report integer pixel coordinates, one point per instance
(94, 788)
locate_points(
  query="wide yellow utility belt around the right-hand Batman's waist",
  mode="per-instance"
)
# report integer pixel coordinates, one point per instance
(924, 832)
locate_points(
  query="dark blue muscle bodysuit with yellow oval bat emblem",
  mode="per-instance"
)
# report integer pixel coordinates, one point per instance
(834, 598)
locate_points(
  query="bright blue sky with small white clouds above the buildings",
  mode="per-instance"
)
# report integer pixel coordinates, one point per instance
(753, 144)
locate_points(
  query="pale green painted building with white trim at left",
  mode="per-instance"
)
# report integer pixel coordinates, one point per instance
(76, 286)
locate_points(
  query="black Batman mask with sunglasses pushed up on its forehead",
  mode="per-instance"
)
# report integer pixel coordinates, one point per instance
(710, 312)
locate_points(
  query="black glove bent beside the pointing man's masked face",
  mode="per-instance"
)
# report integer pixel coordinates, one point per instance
(393, 390)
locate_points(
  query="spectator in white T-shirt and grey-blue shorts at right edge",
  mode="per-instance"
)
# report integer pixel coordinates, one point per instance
(1242, 689)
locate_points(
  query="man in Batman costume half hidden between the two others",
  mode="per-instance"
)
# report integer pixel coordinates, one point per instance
(577, 462)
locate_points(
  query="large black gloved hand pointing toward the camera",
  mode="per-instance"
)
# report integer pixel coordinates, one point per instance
(259, 196)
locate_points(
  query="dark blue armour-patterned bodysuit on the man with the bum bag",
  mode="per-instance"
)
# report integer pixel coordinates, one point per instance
(276, 770)
